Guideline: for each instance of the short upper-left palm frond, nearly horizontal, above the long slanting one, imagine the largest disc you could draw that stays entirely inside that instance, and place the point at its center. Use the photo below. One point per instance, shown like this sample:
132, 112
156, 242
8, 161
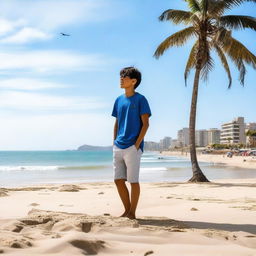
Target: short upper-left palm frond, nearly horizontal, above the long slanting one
177, 16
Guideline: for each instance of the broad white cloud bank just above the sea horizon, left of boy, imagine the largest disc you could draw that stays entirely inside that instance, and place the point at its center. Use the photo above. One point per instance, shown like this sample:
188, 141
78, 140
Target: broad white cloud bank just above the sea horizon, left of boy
54, 132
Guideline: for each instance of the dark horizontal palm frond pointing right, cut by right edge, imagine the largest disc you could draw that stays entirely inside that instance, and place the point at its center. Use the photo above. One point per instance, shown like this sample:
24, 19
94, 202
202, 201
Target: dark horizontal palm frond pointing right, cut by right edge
238, 22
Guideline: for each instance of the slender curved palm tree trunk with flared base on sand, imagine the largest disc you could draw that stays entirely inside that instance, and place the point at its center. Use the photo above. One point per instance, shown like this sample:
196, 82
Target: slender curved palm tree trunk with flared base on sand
198, 175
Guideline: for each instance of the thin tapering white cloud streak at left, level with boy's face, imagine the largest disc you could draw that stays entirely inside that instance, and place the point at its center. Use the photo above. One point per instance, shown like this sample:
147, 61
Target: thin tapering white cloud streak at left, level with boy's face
28, 84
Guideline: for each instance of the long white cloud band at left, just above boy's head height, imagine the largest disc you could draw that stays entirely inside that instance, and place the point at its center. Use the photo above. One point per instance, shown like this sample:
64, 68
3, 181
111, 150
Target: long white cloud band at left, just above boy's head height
48, 61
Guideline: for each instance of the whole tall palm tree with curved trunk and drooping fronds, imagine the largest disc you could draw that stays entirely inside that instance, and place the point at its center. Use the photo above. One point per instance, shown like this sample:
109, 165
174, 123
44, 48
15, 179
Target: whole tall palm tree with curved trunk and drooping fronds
213, 31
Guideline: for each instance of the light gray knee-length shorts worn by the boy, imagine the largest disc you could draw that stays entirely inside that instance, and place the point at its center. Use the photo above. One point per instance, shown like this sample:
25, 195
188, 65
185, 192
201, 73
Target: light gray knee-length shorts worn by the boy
126, 163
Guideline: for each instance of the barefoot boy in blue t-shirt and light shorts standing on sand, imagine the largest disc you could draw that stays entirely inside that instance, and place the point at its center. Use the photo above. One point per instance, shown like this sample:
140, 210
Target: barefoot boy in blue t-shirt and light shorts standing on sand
132, 113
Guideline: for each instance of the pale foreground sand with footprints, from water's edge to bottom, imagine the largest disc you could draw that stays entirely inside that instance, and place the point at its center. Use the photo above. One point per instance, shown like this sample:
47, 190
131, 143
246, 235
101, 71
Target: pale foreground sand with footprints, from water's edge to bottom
173, 218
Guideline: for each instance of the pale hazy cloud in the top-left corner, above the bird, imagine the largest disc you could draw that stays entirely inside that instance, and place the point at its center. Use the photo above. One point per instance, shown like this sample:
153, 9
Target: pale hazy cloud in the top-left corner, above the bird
51, 14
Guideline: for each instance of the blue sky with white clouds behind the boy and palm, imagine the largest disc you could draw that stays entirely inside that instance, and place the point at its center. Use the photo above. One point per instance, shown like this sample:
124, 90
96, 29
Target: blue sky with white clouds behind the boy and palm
57, 92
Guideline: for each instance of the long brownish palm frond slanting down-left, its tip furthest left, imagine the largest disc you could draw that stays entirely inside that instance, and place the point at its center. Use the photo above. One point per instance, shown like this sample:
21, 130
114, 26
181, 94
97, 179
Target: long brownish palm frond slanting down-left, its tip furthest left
177, 39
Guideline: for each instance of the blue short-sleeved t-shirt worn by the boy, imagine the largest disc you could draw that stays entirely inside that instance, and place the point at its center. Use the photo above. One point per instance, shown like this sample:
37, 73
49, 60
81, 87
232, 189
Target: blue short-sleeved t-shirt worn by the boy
128, 111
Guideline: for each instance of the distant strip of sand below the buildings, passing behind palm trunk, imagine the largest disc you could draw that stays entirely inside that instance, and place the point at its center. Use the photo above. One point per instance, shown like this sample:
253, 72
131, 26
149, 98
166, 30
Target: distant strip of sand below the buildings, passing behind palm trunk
247, 162
